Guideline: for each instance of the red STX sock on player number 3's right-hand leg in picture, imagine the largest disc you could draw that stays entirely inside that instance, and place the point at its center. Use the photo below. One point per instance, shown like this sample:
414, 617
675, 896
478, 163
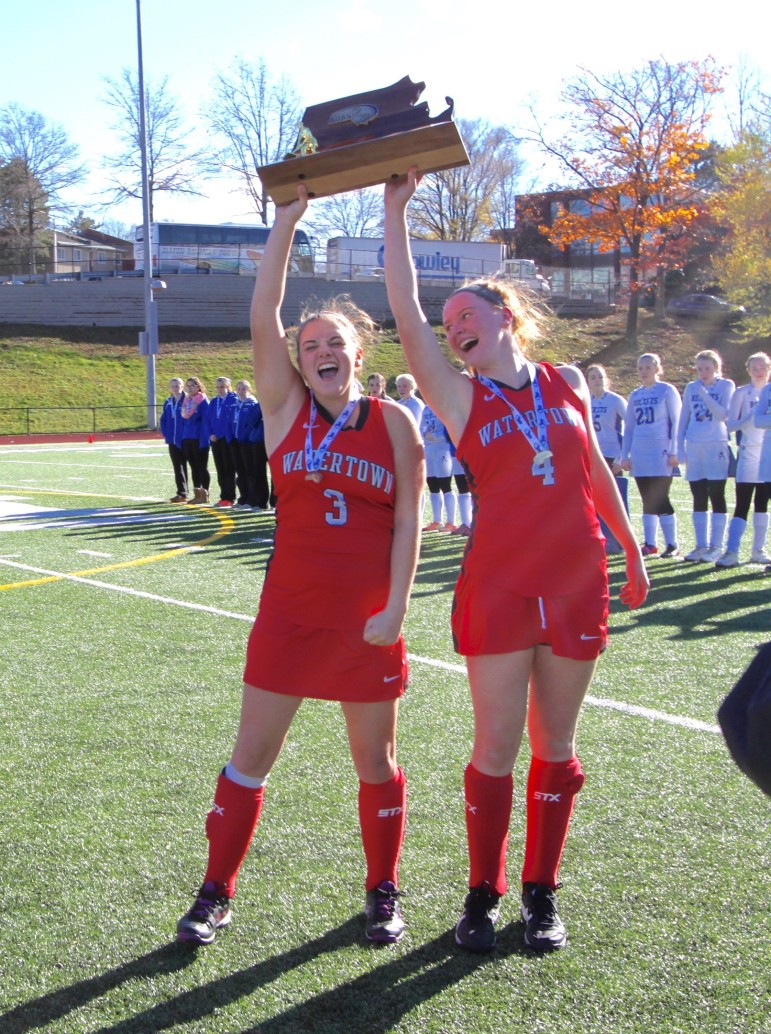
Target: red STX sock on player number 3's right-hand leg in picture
383, 812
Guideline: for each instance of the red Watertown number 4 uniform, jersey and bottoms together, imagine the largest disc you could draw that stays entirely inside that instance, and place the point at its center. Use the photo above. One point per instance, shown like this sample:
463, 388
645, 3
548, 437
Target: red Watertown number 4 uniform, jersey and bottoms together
536, 532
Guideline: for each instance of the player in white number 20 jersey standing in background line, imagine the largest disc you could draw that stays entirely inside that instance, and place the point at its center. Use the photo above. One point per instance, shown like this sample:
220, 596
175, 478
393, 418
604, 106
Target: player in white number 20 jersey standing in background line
650, 451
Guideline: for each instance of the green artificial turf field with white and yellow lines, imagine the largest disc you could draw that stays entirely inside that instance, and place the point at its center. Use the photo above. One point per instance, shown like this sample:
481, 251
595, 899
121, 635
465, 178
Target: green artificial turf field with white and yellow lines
125, 624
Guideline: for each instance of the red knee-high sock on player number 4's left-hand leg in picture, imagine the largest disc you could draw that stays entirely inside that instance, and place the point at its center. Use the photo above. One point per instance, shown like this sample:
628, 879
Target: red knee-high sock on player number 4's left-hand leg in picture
488, 814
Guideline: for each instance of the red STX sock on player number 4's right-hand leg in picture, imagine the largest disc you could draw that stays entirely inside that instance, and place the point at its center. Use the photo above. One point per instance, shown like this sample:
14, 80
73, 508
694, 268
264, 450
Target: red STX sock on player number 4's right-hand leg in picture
551, 793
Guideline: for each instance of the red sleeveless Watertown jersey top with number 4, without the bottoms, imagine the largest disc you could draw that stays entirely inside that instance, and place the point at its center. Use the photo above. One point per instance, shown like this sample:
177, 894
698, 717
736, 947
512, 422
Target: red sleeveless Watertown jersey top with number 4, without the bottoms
536, 530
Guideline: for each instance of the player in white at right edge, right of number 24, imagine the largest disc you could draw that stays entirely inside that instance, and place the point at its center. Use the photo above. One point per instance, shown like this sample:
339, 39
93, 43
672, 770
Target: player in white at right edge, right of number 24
749, 482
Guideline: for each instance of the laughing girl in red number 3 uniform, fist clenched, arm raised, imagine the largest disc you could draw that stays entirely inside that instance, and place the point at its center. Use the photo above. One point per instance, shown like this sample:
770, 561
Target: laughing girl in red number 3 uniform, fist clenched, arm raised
349, 474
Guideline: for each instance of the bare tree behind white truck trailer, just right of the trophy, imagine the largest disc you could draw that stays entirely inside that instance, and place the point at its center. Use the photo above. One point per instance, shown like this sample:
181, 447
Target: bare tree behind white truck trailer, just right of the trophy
468, 204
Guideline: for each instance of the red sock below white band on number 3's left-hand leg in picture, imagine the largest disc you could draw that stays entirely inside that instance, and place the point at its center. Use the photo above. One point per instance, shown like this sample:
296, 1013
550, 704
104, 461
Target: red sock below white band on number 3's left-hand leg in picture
230, 828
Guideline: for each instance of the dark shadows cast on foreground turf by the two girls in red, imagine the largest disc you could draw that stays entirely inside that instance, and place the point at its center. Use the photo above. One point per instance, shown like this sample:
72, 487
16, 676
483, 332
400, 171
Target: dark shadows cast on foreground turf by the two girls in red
378, 999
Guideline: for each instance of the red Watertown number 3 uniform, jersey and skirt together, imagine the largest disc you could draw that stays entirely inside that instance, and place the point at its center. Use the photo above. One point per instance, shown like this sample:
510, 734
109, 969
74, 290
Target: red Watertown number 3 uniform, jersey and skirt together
331, 568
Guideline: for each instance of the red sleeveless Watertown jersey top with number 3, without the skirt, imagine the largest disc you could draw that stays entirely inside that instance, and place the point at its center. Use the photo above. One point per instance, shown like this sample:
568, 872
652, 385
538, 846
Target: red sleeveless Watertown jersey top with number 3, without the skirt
331, 567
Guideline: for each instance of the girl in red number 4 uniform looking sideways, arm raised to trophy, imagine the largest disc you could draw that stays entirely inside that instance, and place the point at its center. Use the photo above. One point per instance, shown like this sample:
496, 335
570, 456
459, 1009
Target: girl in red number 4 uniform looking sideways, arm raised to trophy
532, 601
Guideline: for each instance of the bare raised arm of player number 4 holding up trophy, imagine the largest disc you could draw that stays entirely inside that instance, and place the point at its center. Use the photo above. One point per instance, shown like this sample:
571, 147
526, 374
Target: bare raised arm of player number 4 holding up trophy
447, 391
